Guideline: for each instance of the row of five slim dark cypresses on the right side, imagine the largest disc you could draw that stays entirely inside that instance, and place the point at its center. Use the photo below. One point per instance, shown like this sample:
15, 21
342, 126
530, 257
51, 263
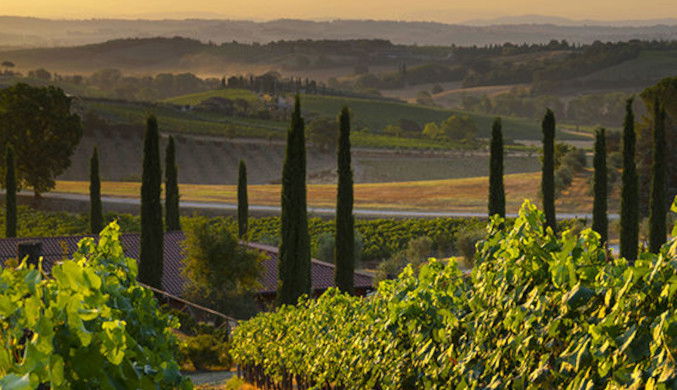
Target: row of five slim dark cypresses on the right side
629, 236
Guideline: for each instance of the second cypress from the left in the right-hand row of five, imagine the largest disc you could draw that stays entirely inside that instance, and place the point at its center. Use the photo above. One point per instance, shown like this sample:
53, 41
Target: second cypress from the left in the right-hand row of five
548, 176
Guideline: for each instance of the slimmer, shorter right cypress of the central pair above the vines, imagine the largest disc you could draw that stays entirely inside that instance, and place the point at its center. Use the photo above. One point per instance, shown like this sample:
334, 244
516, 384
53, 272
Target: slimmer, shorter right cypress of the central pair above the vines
345, 233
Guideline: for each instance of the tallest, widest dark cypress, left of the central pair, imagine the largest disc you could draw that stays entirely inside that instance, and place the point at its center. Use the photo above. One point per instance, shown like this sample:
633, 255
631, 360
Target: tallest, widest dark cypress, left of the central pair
294, 265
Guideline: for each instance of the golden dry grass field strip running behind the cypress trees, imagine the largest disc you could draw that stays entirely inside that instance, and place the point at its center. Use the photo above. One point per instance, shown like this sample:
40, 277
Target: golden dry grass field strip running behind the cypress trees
462, 195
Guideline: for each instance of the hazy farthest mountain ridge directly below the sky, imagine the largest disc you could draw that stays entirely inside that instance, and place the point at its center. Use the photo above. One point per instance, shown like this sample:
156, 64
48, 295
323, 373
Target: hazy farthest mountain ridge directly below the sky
35, 32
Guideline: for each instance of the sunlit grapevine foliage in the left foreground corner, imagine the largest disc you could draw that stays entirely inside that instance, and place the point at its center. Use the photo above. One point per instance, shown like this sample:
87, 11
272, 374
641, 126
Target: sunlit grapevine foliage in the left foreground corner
89, 325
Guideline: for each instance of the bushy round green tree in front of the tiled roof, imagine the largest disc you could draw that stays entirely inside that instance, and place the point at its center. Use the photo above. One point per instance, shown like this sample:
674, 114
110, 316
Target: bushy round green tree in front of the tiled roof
217, 267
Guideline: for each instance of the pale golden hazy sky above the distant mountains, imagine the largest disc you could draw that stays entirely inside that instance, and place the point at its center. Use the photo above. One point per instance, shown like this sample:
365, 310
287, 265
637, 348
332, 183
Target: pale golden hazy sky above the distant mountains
428, 10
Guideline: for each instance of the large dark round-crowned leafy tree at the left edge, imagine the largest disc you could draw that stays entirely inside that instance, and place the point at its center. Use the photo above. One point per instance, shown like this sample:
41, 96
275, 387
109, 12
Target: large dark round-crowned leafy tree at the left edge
38, 122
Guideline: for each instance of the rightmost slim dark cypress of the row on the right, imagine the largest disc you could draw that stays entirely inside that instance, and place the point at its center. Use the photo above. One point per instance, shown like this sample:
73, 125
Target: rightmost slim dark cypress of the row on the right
658, 202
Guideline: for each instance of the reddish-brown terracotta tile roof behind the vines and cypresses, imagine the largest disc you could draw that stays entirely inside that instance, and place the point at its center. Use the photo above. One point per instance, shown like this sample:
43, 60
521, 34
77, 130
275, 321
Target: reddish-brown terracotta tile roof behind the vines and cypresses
58, 248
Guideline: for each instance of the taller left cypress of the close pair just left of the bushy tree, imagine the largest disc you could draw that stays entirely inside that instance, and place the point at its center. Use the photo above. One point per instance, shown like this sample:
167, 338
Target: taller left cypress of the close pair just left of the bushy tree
150, 267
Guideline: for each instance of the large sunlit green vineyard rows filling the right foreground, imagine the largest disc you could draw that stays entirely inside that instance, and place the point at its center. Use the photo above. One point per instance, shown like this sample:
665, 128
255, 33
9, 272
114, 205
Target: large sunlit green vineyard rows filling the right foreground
537, 311
